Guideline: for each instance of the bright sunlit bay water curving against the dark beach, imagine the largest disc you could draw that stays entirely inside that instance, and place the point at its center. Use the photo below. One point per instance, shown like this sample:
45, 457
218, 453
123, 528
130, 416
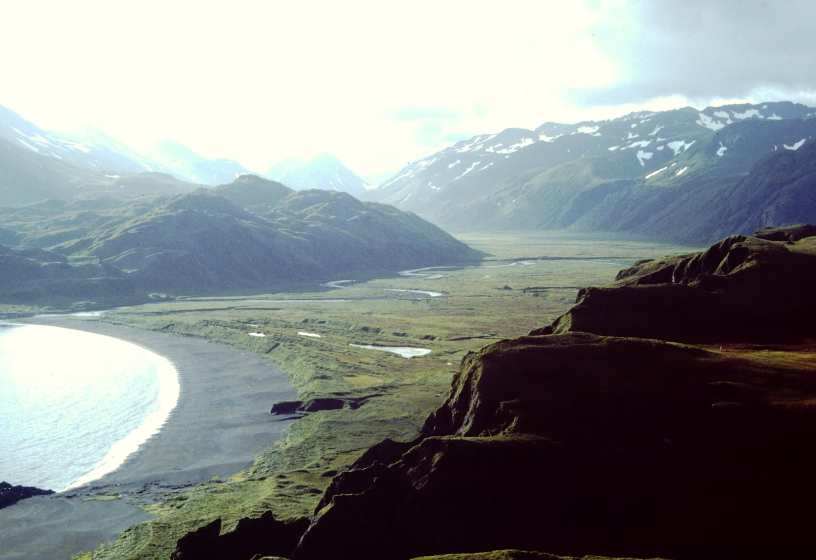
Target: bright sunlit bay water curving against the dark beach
74, 405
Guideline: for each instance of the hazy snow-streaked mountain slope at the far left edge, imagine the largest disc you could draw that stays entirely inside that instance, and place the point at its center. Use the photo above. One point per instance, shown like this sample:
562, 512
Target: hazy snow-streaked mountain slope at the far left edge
87, 152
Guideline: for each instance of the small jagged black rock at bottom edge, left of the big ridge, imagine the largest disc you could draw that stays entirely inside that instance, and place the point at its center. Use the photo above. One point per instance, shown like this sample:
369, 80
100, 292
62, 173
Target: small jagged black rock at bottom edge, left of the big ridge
263, 536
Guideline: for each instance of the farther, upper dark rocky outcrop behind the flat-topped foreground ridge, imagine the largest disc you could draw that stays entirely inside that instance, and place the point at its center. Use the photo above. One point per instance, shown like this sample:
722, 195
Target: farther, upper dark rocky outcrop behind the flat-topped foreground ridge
741, 289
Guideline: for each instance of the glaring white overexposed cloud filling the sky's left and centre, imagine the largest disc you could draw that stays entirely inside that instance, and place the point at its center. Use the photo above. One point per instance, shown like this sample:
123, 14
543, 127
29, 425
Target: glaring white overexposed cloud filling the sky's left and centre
259, 81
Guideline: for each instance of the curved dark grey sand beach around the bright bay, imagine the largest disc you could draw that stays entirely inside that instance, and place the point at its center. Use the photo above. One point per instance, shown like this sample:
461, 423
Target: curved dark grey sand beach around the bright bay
220, 423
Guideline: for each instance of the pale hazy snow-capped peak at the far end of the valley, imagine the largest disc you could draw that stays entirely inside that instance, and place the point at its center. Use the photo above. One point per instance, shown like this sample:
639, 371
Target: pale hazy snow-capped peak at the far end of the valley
322, 172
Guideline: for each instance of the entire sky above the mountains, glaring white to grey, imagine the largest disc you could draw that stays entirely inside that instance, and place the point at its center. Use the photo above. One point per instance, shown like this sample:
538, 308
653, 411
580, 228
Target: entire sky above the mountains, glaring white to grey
381, 84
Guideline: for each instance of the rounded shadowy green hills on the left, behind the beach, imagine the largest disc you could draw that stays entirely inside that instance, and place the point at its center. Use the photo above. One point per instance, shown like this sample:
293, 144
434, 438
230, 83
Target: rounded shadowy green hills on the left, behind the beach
104, 250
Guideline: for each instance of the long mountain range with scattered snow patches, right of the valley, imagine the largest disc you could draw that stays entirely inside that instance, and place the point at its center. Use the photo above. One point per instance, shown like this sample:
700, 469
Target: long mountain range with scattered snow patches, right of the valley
672, 175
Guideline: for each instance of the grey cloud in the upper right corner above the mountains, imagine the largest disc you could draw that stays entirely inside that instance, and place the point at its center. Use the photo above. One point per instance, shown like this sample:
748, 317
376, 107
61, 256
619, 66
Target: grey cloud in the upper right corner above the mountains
703, 50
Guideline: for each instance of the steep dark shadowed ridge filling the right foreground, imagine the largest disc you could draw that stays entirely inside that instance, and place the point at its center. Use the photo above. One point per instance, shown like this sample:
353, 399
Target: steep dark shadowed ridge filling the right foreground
579, 443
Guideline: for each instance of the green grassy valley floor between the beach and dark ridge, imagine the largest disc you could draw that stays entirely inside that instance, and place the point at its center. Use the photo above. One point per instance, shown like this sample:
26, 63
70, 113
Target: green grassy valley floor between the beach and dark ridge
501, 299
